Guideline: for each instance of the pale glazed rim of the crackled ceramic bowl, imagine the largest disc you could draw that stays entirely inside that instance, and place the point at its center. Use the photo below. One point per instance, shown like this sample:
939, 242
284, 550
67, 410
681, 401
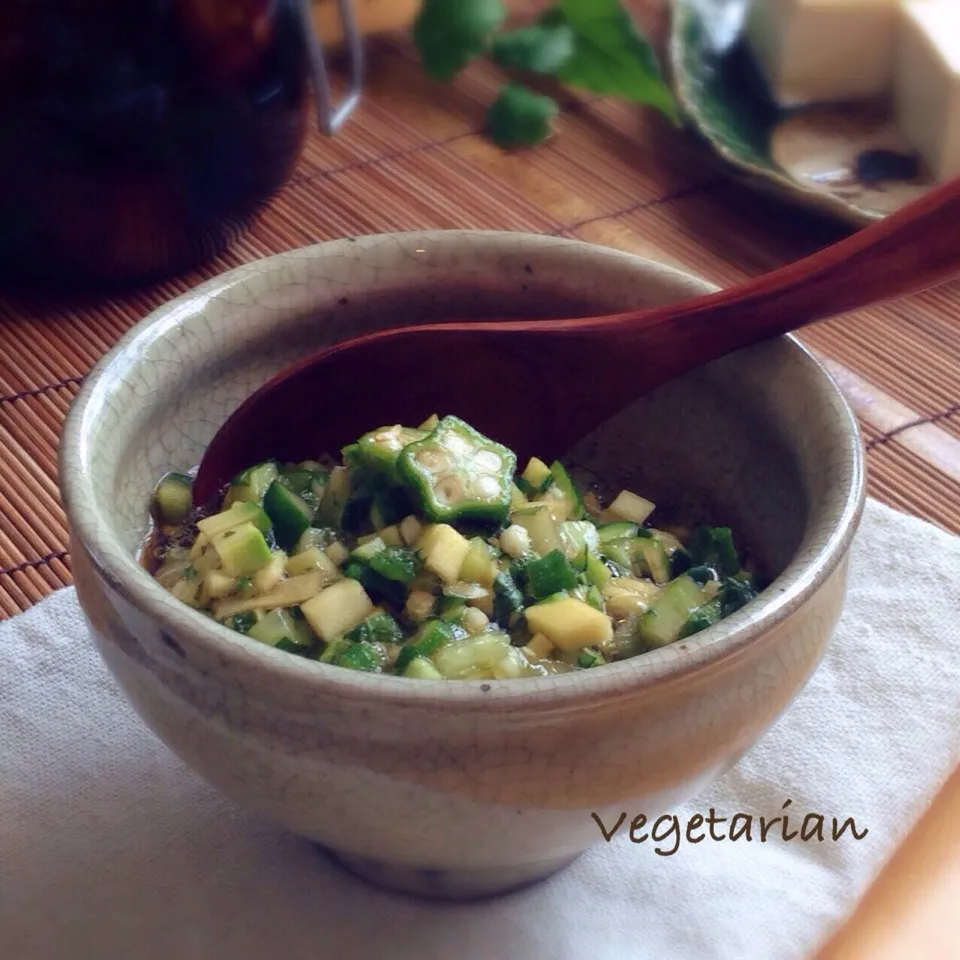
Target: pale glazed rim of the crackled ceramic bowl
798, 582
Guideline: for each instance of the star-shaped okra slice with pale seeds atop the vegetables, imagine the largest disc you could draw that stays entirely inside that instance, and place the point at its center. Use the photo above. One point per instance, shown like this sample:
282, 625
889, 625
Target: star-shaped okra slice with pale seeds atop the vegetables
456, 473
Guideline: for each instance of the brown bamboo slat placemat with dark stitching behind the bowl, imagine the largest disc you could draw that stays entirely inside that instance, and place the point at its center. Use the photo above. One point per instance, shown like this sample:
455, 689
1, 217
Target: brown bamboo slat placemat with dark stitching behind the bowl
413, 157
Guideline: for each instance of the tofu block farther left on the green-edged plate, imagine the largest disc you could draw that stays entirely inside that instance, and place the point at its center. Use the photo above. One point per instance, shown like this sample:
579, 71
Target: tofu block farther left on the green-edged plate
824, 51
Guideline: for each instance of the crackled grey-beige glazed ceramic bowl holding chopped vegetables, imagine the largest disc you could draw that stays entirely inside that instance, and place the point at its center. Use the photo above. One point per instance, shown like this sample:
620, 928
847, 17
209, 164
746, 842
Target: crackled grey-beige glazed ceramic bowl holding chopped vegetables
446, 788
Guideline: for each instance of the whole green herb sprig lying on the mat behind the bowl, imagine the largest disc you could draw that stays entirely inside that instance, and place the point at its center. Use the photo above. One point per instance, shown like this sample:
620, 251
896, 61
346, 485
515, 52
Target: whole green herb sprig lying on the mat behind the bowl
589, 45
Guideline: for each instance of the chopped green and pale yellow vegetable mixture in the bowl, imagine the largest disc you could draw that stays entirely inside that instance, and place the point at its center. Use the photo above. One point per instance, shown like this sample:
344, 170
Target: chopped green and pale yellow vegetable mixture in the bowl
424, 553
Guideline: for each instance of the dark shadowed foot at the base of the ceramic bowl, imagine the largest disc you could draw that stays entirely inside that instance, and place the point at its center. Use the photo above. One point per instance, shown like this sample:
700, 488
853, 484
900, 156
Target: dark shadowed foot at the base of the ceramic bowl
442, 884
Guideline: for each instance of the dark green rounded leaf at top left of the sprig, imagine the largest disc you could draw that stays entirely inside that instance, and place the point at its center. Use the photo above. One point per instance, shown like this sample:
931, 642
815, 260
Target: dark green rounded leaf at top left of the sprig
450, 33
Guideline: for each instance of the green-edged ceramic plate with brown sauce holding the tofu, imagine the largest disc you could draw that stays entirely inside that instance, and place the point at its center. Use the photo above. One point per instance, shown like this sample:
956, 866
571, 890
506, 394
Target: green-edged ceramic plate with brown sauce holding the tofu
847, 161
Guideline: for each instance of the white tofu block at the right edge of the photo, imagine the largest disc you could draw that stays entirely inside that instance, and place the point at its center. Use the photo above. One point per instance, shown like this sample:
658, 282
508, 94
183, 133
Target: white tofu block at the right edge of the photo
927, 83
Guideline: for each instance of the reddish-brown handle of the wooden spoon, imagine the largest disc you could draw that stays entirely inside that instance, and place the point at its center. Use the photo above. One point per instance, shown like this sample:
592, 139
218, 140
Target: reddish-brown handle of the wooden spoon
913, 249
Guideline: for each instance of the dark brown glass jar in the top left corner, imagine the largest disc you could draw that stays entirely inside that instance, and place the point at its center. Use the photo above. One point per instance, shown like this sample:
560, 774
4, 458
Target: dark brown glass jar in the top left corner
136, 136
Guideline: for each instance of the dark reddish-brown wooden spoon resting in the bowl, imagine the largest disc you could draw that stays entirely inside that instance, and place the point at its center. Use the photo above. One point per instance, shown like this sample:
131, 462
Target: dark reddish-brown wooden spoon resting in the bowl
540, 386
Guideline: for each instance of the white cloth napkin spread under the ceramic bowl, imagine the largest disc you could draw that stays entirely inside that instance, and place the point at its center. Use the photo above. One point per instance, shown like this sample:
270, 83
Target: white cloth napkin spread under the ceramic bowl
110, 849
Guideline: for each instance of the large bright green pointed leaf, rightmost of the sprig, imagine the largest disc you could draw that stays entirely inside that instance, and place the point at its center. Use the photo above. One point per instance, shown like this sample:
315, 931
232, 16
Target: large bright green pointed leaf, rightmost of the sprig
610, 56
